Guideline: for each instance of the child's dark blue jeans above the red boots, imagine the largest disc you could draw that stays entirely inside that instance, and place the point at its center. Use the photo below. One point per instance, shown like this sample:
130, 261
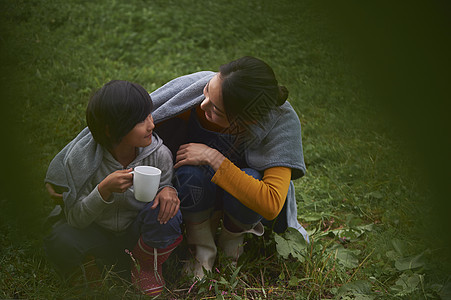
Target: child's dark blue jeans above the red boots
67, 246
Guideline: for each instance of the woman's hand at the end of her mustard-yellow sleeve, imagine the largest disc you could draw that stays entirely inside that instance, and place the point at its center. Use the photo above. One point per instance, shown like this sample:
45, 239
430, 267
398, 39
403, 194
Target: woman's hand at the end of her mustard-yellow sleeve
198, 154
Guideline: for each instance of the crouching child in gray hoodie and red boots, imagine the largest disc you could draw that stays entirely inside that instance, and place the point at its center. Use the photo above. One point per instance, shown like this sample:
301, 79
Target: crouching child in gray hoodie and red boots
102, 216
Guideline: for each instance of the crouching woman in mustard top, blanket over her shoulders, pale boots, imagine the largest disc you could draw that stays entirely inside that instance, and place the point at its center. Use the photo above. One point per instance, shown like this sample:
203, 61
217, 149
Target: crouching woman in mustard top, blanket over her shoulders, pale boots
237, 146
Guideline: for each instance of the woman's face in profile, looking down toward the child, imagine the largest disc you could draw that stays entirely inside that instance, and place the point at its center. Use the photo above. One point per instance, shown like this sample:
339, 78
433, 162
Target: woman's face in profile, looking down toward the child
213, 105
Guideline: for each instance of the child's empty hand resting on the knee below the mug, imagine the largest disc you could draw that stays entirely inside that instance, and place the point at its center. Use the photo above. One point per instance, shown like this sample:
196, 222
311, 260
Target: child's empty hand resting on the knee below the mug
169, 204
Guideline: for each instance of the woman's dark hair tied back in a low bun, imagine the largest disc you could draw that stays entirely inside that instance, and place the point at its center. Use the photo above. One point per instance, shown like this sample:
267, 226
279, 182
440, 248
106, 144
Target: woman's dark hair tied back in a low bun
250, 89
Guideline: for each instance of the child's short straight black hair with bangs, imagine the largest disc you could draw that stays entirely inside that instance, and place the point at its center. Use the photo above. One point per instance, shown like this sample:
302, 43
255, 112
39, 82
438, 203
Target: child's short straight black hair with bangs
115, 109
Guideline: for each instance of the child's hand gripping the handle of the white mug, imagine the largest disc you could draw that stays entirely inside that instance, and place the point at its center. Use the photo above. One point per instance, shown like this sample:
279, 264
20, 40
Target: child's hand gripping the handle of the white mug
116, 182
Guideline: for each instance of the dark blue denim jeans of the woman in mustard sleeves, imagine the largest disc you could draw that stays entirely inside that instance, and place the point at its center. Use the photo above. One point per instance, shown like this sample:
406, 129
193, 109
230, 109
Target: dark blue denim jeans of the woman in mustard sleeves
199, 197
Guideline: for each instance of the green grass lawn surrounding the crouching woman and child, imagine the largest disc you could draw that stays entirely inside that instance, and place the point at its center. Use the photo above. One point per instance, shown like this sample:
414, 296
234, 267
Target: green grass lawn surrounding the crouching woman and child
366, 199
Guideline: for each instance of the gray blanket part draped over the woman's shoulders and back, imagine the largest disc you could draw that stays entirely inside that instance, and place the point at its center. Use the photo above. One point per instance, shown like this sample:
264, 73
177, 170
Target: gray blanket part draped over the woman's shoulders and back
275, 141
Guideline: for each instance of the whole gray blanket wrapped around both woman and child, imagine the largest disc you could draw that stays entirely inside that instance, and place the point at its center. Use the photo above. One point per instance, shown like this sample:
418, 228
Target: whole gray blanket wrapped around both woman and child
275, 141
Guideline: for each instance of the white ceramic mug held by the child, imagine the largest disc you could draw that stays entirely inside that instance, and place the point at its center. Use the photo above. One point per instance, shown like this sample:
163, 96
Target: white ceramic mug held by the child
146, 180
